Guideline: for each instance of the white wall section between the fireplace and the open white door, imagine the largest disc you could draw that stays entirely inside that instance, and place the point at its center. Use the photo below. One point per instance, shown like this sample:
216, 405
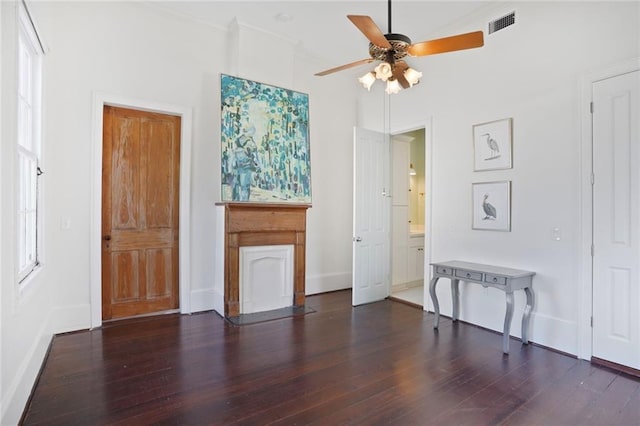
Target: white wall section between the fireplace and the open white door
329, 222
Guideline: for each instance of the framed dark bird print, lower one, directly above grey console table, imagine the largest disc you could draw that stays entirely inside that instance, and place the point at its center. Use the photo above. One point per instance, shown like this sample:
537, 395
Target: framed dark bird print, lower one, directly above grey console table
491, 206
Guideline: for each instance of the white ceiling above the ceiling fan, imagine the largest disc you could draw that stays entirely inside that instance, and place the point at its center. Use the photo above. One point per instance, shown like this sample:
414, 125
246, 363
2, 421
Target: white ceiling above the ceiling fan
321, 26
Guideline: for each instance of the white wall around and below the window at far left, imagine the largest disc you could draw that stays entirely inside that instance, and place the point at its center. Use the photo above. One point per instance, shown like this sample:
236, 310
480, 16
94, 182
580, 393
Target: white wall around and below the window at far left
27, 313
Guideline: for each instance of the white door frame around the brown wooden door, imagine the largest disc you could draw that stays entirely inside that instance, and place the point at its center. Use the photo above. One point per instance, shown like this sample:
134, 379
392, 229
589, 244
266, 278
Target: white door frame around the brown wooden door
95, 238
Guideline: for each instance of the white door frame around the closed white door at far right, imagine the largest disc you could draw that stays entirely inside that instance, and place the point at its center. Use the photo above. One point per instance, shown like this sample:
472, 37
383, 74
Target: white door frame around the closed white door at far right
585, 311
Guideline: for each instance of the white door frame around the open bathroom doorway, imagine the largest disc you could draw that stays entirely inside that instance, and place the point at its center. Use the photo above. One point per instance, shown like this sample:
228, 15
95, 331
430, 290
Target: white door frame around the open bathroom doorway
428, 150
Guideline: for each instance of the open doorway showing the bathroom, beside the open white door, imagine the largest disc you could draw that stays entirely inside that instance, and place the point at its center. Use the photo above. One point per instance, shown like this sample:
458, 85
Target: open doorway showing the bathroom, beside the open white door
408, 180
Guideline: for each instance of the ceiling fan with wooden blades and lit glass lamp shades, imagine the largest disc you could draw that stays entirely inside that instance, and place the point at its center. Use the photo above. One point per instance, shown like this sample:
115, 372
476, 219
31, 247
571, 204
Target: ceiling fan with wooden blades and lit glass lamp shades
391, 48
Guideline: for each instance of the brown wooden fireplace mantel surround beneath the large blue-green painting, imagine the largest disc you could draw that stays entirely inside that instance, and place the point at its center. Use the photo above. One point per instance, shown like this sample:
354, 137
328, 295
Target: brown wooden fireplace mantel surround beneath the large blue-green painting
261, 224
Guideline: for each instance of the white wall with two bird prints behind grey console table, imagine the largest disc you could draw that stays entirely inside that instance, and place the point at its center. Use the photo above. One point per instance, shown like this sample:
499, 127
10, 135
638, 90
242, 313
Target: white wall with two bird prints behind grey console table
532, 72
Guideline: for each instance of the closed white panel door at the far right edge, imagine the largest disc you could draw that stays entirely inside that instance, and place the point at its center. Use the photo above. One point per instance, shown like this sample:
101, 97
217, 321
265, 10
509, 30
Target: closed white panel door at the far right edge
616, 220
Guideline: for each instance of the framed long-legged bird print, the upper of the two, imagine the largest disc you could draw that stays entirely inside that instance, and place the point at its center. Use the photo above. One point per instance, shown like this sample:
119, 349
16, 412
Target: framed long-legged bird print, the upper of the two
492, 143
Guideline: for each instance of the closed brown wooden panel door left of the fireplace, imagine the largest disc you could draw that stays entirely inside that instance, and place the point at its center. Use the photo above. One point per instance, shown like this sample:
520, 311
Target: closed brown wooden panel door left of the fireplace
140, 203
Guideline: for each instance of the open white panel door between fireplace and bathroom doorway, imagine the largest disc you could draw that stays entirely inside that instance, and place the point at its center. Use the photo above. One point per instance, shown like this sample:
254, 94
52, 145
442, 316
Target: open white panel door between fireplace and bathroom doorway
371, 217
